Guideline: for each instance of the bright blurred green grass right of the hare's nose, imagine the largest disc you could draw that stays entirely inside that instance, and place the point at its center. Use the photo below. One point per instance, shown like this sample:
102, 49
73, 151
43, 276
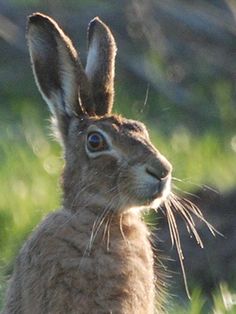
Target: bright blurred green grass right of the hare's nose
207, 159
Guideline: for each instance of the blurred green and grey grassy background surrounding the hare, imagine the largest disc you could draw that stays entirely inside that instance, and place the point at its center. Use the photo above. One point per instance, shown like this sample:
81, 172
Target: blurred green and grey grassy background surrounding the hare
176, 69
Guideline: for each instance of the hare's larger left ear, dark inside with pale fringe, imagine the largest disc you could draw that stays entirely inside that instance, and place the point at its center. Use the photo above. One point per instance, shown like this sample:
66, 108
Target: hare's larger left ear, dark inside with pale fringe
57, 70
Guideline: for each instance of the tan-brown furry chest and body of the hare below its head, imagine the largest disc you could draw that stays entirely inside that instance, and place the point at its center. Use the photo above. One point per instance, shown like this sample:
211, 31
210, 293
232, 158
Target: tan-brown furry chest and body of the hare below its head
119, 272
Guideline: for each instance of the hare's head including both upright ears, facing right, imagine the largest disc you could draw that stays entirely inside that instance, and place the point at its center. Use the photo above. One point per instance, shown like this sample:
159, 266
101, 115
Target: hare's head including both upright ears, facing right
109, 160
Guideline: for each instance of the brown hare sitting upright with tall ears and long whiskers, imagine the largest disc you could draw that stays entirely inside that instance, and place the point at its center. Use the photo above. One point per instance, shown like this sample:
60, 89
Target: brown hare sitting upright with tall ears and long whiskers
93, 255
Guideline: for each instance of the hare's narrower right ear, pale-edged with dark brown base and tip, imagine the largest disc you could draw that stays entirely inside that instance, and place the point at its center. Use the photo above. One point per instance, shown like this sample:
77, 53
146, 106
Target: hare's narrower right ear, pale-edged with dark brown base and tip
100, 68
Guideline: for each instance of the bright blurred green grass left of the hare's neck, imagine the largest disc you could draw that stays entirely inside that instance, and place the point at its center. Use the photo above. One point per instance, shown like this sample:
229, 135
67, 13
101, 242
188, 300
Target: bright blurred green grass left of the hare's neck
29, 169
